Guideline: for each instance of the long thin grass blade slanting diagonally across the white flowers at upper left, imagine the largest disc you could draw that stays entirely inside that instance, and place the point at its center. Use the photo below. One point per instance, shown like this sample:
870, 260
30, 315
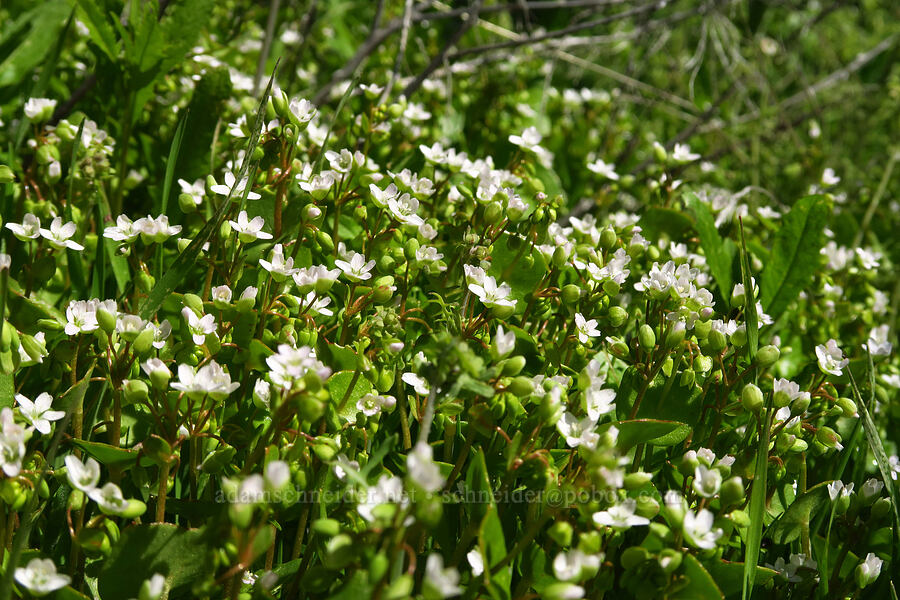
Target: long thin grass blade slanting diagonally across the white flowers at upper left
185, 261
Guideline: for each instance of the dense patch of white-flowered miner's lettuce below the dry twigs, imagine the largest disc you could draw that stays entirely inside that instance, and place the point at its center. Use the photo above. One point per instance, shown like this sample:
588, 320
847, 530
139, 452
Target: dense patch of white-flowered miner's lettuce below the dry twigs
258, 343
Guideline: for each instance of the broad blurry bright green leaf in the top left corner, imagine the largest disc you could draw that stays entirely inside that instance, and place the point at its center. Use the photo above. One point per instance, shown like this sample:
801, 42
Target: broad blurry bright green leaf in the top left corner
44, 24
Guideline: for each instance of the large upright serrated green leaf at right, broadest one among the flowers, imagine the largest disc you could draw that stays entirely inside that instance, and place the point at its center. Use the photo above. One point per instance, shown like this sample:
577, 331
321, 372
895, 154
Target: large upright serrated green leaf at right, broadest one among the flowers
795, 255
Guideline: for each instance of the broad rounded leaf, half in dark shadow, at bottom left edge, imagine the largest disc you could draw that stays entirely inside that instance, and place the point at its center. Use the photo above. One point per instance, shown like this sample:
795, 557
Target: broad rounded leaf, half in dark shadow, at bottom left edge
181, 555
